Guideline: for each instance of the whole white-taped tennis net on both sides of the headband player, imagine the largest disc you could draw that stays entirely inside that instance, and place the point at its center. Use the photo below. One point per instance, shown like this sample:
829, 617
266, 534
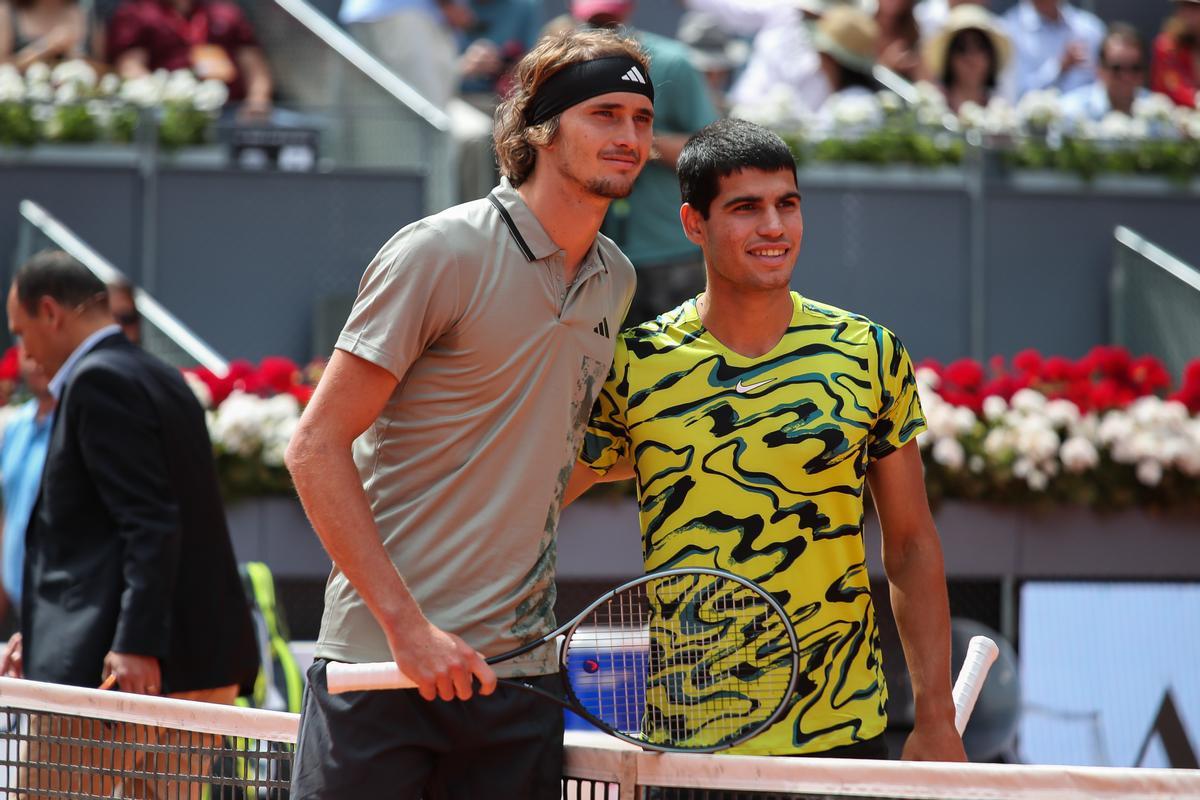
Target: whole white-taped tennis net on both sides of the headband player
64, 742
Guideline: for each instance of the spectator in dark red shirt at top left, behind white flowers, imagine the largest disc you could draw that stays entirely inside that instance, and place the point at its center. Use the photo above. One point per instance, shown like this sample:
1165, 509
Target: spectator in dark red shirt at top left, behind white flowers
211, 38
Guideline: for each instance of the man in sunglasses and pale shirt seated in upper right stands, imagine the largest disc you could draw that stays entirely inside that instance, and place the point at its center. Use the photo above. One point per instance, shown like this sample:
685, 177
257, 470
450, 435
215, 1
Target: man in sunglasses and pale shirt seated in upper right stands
1123, 76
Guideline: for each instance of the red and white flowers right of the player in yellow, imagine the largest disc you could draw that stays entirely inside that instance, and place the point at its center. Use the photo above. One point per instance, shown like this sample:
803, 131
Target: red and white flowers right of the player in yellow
1105, 431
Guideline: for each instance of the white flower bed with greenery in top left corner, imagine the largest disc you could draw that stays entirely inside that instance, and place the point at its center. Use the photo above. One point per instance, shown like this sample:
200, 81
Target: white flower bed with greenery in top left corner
74, 104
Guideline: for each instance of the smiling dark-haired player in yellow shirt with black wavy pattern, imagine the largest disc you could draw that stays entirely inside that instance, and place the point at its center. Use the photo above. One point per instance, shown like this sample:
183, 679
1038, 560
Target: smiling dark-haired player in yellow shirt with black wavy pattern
754, 418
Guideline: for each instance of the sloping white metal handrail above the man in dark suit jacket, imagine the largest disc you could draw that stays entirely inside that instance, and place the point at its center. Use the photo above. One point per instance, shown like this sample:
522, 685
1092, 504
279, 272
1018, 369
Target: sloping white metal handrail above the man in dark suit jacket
163, 333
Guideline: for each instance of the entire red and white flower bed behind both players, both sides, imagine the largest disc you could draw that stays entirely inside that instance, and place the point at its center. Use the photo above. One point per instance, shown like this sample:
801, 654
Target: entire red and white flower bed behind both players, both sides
1107, 431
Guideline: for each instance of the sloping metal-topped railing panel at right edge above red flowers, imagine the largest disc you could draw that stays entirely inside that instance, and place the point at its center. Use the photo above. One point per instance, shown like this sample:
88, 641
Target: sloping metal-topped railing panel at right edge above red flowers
1155, 302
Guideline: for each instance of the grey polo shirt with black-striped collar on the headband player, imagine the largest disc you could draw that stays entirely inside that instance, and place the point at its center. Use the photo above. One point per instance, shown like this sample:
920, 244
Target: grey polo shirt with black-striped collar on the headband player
499, 363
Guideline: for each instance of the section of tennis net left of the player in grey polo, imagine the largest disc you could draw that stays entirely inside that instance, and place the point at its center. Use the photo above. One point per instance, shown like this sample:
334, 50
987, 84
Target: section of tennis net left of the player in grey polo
64, 742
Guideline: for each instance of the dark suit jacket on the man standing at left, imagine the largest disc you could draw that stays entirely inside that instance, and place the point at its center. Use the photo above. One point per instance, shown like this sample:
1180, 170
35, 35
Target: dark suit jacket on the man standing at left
128, 549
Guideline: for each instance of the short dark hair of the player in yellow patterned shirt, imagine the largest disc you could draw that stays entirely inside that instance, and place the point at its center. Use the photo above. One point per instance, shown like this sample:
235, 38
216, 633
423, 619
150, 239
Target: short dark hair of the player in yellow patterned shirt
722, 149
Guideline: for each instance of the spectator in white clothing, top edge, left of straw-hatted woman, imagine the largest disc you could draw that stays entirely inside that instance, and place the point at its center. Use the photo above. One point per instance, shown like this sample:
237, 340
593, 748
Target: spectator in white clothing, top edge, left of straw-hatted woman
783, 65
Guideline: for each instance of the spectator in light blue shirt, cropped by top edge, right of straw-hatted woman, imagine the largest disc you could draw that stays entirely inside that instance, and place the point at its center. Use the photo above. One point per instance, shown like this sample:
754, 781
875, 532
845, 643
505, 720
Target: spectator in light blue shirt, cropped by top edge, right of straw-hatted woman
1055, 44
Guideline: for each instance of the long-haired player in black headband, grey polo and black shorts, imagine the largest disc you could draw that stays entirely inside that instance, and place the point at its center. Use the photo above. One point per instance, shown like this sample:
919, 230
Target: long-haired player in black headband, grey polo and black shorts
434, 458
